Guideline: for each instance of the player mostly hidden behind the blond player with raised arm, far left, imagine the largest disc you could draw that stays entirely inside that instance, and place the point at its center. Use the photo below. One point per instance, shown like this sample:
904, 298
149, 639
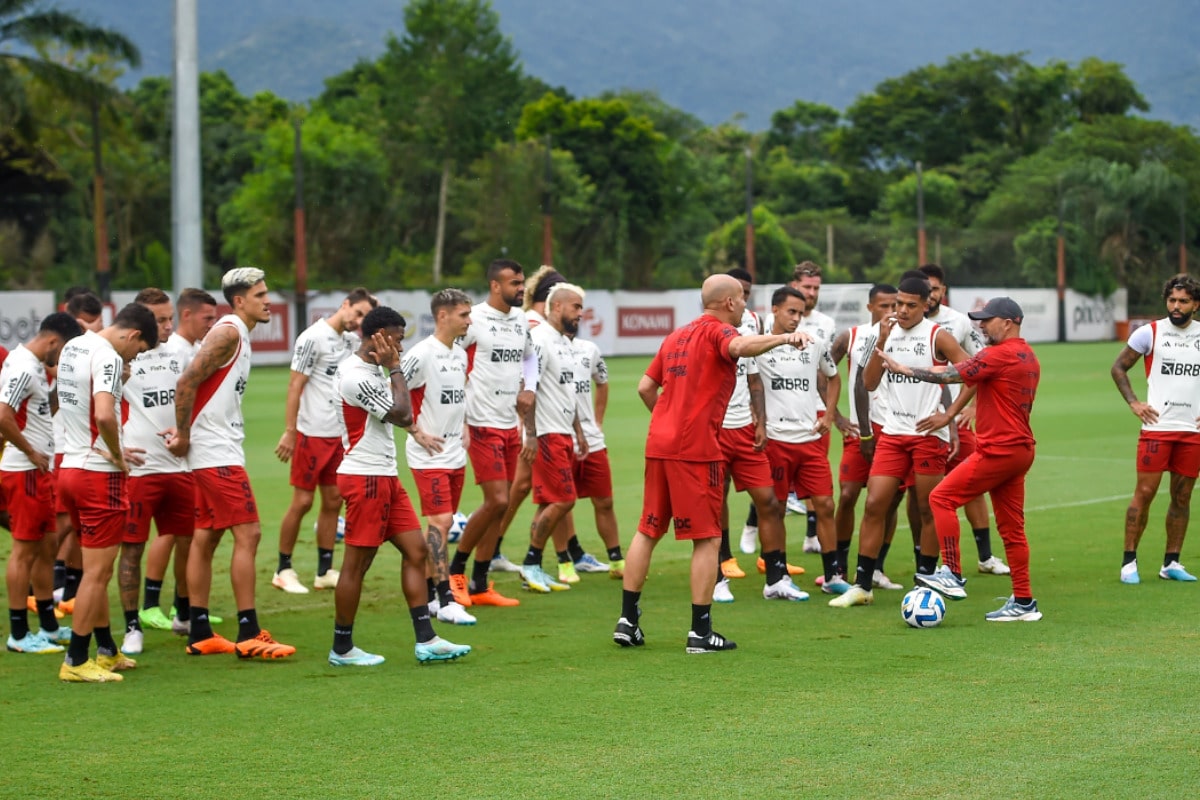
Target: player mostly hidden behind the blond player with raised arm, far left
197, 312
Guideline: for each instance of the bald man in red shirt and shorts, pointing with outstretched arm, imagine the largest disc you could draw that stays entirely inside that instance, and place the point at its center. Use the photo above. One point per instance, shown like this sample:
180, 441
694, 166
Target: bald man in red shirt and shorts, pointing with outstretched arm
687, 388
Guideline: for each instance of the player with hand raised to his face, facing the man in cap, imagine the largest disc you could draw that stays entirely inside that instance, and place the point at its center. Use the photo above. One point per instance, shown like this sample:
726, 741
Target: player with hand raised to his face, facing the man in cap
914, 438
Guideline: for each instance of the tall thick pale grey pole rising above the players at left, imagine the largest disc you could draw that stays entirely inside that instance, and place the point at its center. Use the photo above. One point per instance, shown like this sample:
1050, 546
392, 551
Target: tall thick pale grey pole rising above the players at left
188, 249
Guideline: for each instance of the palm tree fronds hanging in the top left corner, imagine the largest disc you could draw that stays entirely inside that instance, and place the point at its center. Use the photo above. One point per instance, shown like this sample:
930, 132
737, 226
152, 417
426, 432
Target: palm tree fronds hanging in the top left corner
27, 26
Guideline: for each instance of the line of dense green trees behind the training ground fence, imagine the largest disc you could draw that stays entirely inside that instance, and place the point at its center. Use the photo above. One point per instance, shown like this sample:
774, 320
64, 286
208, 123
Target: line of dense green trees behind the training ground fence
442, 154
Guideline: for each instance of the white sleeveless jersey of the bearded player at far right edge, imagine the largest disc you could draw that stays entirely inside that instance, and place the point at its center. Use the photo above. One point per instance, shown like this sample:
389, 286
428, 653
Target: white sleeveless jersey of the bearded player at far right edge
1173, 374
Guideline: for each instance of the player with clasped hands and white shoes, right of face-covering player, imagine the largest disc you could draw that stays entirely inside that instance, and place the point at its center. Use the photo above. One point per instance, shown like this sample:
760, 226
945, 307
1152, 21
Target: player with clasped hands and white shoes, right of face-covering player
436, 376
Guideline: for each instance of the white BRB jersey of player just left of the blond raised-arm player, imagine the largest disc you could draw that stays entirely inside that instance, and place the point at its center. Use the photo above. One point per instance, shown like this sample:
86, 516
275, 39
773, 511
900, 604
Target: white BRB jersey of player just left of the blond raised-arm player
148, 406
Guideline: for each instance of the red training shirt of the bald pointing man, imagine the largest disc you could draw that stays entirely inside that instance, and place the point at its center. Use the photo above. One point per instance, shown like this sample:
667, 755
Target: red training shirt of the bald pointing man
698, 374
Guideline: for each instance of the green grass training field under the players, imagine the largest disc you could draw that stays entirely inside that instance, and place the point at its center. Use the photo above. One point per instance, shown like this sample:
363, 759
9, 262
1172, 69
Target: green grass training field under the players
1096, 701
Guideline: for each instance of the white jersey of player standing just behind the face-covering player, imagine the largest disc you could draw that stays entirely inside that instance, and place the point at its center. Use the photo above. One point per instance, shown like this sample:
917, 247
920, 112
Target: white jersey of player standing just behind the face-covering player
317, 353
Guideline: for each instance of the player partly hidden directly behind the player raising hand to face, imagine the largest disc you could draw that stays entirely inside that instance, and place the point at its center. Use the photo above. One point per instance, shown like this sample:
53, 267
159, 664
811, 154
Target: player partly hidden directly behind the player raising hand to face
859, 446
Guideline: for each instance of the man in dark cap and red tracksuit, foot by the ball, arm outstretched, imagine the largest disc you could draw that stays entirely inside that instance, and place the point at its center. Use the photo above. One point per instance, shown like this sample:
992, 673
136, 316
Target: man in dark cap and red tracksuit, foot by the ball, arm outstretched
1006, 377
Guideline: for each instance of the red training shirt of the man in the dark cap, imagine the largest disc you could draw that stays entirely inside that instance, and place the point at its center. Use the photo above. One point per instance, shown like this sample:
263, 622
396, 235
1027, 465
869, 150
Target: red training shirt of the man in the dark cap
1006, 377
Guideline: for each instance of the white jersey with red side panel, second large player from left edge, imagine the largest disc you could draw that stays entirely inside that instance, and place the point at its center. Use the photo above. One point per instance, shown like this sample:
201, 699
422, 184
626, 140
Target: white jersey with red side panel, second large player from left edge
88, 366
